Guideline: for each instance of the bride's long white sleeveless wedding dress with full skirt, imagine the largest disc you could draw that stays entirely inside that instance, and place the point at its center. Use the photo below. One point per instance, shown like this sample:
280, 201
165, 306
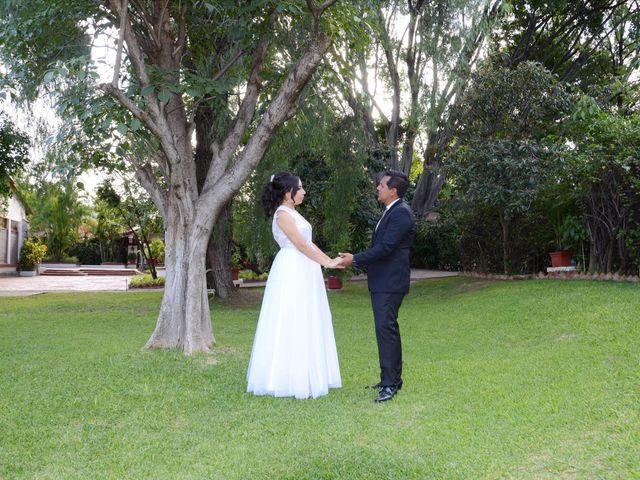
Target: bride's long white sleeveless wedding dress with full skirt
294, 350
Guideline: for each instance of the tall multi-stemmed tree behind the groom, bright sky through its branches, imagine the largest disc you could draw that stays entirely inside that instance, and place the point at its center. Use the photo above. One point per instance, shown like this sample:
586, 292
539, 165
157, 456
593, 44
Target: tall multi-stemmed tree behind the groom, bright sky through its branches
423, 52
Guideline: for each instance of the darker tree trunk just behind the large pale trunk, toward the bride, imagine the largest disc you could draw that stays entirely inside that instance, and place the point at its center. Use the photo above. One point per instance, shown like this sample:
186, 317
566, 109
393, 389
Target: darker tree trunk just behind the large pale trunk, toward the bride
219, 255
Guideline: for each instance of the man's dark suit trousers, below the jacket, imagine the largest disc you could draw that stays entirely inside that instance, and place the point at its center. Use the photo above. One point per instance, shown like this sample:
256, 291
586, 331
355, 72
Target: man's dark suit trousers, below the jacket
385, 313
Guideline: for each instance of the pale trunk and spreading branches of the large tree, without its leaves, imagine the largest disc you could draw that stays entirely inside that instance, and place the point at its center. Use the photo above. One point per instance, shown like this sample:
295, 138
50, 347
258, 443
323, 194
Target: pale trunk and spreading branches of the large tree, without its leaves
190, 202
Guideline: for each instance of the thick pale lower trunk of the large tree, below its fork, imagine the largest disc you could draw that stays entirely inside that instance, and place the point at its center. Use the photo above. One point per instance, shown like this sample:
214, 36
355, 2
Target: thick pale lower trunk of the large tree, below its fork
184, 320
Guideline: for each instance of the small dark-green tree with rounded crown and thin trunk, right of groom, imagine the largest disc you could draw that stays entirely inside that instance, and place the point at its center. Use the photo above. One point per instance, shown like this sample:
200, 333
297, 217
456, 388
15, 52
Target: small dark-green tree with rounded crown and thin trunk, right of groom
506, 148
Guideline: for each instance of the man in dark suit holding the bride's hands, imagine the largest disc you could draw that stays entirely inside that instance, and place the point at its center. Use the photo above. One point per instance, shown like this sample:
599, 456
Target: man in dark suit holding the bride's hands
388, 272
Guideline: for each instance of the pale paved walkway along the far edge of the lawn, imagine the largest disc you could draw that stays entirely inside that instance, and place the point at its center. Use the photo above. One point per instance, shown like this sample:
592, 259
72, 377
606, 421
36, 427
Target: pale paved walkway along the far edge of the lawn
16, 286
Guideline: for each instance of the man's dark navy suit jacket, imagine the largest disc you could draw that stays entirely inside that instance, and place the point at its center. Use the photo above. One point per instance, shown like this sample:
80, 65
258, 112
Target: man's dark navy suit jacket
387, 260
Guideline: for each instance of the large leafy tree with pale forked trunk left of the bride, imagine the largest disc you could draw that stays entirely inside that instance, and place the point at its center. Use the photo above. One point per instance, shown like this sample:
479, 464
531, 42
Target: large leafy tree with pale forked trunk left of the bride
168, 64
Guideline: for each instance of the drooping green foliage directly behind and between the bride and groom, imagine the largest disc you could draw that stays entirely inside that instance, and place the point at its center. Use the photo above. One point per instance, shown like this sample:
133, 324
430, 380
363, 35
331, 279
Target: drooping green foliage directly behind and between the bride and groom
340, 202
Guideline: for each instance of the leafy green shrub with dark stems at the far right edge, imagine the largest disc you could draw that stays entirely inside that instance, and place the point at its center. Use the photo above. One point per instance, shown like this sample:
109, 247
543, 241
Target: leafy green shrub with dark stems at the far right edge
604, 166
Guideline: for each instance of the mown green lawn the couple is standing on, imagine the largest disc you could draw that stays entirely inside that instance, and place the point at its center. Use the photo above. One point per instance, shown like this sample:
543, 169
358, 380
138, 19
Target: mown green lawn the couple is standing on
503, 380
